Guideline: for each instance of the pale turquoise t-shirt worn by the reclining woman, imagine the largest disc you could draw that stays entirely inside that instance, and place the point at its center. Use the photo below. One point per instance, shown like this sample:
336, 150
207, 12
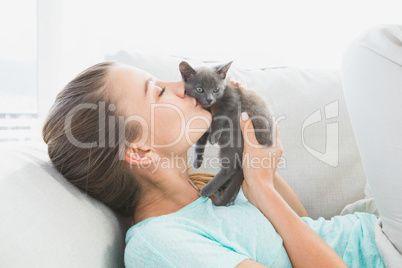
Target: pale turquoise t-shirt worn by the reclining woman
204, 235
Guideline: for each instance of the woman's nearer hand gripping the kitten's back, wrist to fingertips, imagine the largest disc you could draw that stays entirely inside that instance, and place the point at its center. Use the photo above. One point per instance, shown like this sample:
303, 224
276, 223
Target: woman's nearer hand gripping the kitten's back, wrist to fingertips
259, 162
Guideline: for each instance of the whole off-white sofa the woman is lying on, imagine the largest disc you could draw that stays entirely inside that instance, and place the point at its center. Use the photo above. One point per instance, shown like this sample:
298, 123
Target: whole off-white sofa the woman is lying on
46, 222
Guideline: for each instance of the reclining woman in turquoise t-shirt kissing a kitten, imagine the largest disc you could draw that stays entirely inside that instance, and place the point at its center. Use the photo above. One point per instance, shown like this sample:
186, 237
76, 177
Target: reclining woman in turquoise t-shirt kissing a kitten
121, 135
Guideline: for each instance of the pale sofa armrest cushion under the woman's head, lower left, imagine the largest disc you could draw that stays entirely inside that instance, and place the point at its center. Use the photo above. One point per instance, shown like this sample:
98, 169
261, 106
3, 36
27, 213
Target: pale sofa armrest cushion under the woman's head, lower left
47, 222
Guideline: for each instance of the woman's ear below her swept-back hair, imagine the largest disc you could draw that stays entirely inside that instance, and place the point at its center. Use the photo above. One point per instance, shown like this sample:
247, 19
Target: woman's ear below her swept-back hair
141, 156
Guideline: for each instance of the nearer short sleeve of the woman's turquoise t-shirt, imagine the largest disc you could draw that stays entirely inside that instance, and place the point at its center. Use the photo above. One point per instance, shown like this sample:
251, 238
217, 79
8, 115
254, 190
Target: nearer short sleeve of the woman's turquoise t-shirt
178, 248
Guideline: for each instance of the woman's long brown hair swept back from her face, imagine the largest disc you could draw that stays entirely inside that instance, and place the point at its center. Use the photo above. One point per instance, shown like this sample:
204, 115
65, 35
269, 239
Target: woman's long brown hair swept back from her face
96, 170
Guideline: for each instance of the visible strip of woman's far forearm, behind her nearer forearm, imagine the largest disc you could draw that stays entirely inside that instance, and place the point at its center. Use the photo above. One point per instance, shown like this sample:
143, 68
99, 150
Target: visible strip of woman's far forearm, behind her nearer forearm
289, 195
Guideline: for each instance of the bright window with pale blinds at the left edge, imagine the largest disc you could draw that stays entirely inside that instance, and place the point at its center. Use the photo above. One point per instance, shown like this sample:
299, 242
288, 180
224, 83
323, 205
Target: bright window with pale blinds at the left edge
18, 69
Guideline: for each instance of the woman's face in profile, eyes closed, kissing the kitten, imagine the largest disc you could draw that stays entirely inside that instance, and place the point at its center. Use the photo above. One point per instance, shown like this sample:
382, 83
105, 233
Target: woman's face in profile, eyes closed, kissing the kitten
170, 120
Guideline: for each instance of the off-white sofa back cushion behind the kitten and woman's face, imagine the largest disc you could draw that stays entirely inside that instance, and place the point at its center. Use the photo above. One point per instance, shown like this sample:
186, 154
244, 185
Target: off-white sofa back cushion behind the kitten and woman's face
321, 161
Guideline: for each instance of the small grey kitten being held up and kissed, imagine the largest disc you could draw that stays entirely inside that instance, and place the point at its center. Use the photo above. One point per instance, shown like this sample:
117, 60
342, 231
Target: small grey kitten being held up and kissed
208, 86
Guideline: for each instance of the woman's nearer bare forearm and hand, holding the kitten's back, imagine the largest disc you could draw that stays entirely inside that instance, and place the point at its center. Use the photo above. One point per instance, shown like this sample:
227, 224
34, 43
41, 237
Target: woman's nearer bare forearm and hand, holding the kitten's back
304, 247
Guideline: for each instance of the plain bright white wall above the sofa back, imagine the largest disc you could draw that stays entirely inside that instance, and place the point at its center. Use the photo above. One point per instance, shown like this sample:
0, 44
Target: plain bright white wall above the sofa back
309, 33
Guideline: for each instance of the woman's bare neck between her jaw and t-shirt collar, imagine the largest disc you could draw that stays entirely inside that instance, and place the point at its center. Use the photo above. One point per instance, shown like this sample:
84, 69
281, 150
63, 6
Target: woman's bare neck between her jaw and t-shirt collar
167, 191
